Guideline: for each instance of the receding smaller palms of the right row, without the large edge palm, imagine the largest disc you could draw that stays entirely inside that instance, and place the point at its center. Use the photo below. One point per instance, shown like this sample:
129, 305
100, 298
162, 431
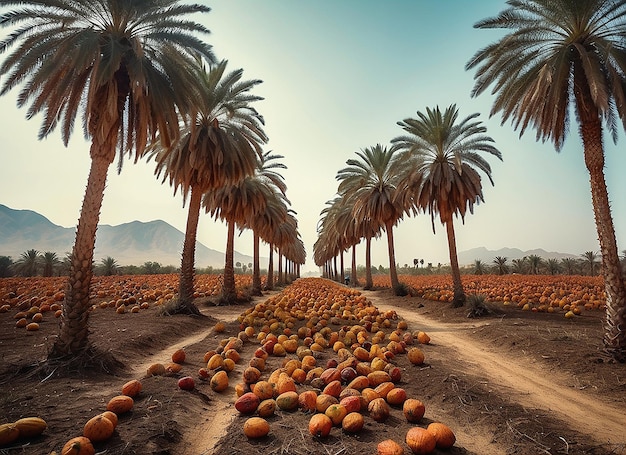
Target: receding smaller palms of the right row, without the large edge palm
432, 168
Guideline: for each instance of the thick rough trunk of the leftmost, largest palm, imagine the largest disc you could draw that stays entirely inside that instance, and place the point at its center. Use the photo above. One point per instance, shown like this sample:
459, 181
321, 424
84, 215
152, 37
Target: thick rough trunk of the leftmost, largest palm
73, 331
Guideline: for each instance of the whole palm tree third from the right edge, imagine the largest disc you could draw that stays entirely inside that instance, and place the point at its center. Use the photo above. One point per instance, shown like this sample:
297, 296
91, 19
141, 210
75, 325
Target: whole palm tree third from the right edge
371, 180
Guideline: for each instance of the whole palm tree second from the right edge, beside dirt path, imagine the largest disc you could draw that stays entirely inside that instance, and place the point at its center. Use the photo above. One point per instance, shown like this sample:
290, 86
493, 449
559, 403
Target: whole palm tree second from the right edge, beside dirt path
444, 176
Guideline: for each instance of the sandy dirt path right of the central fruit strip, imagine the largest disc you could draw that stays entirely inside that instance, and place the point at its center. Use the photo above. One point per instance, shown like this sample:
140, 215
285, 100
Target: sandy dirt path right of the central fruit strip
527, 384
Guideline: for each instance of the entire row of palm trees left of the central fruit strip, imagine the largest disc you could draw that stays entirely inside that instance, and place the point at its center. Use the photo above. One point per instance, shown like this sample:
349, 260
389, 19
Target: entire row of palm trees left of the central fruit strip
146, 83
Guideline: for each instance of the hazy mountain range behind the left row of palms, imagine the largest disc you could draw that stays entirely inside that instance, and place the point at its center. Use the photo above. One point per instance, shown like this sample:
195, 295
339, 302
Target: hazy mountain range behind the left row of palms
130, 243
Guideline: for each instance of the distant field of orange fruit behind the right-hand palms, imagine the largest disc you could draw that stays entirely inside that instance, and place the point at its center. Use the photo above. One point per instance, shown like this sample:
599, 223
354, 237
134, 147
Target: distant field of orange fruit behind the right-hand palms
530, 292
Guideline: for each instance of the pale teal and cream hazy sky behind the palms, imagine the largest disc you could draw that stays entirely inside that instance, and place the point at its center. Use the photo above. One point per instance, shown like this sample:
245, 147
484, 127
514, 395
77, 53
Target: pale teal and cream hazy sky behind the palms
337, 76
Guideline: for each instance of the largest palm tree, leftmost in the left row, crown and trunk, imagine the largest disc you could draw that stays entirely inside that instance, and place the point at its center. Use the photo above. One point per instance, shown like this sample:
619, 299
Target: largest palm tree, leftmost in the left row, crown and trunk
126, 65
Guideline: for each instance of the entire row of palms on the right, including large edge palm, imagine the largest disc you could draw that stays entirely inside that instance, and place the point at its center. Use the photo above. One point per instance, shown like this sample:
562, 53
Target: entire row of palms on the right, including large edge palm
556, 58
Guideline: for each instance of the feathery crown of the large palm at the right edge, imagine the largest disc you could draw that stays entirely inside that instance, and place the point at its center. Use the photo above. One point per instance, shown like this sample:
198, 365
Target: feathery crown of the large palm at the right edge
533, 66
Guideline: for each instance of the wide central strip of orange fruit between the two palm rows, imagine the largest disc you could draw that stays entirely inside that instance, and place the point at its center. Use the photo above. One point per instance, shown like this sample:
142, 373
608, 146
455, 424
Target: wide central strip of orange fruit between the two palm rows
339, 369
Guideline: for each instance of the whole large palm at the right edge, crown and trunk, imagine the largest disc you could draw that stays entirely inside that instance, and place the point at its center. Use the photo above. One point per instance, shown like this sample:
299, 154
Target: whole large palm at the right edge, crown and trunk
557, 54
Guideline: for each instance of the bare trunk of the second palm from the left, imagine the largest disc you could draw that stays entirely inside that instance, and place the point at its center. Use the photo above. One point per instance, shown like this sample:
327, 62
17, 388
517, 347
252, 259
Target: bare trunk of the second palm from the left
187, 272
